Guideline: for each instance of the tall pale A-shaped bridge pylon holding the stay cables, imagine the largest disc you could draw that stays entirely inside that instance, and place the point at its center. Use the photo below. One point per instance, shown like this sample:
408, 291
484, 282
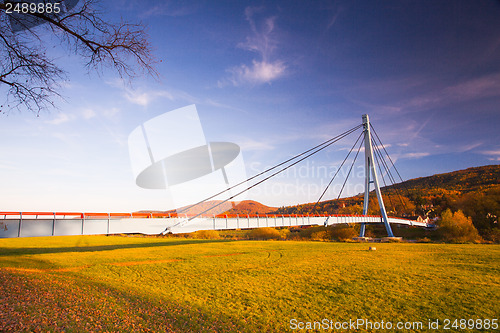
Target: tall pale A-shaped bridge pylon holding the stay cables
371, 177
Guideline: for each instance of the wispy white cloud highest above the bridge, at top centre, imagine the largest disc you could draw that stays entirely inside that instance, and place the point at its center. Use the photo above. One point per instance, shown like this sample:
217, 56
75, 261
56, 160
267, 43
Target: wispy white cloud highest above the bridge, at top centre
263, 42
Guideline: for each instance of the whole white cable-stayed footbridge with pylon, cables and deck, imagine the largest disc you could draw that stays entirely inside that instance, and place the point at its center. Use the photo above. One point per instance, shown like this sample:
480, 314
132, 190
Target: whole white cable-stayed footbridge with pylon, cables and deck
33, 224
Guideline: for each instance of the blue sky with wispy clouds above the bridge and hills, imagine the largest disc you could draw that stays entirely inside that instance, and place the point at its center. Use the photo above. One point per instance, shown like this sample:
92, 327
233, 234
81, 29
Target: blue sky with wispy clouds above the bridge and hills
276, 78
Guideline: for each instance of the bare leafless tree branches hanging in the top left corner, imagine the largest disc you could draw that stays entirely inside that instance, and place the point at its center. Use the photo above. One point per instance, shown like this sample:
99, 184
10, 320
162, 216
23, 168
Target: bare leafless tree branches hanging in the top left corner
32, 79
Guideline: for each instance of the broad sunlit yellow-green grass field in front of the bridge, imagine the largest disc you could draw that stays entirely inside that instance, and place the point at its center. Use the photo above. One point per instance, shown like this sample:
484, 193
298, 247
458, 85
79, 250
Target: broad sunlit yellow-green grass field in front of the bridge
98, 283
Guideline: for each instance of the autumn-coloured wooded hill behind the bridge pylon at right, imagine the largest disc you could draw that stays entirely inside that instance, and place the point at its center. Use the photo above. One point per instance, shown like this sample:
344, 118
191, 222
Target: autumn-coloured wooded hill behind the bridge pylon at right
475, 191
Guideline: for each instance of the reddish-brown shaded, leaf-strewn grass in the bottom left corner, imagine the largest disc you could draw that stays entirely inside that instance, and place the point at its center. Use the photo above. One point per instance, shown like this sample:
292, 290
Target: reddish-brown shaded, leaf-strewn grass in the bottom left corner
78, 305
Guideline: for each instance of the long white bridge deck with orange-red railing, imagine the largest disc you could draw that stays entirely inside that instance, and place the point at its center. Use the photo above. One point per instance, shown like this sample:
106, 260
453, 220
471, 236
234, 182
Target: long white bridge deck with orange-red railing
35, 224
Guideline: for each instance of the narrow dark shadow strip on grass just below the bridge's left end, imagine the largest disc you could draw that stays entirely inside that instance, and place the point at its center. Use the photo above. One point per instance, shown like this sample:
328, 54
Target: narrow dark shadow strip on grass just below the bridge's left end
46, 250
